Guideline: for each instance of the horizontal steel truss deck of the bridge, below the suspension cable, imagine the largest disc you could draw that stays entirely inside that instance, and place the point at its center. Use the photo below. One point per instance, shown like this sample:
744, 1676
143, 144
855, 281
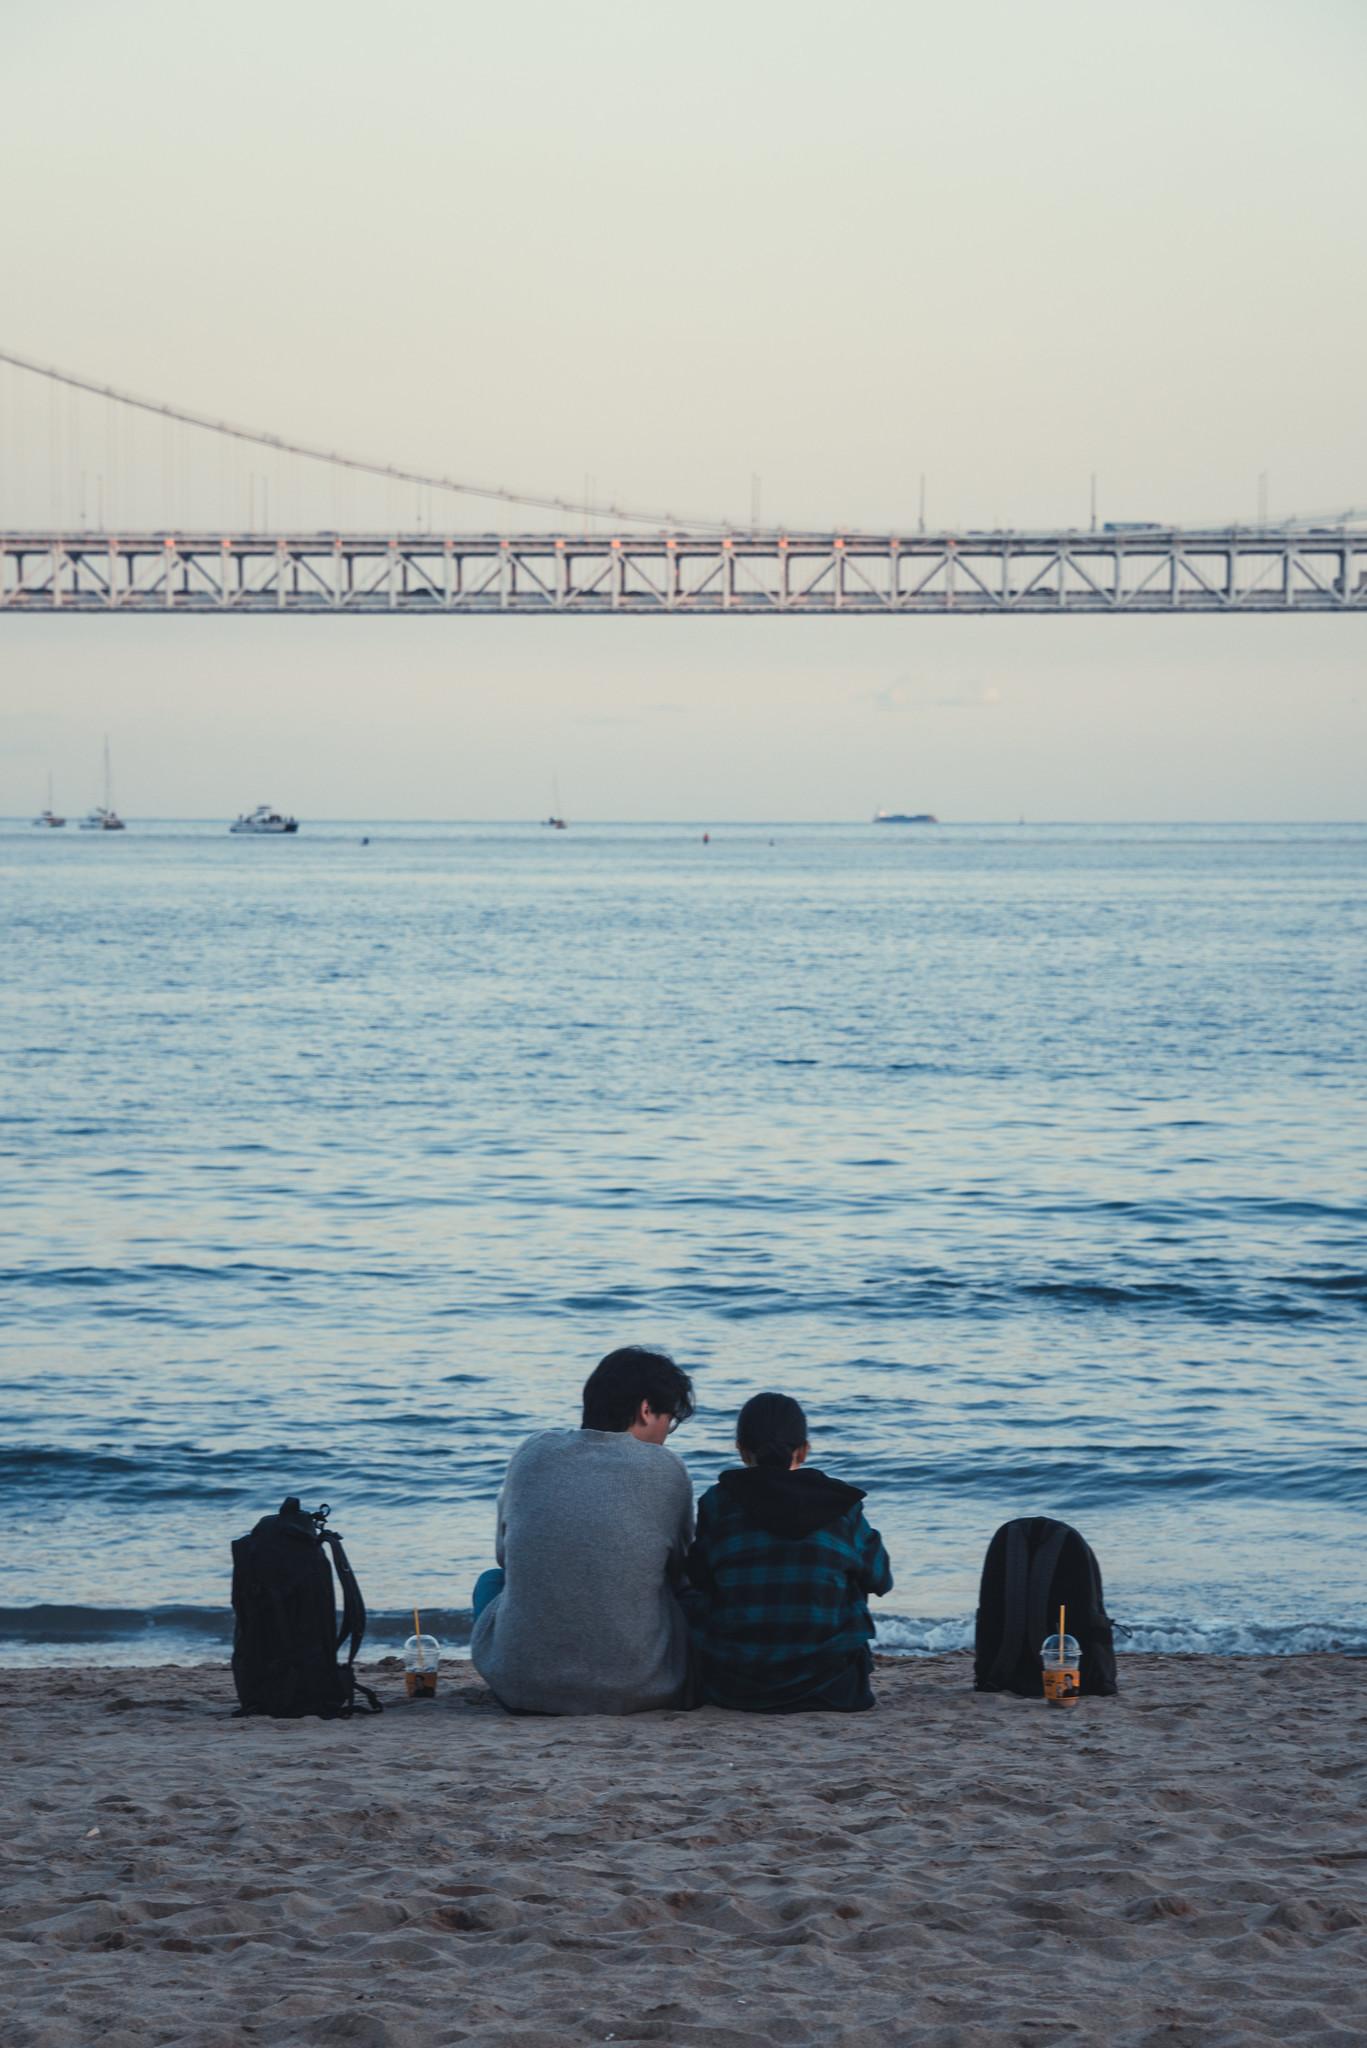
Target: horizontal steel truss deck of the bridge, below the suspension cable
763, 577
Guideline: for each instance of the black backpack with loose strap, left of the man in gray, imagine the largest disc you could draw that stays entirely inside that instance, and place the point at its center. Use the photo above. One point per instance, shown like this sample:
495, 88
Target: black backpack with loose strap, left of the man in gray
286, 1629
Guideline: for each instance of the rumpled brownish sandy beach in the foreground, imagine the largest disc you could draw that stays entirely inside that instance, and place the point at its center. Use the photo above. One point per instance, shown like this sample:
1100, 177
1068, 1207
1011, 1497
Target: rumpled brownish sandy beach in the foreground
1182, 1865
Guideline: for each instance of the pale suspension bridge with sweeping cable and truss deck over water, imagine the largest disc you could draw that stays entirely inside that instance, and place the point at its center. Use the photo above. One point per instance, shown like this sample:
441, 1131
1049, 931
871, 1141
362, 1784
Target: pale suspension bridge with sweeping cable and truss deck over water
591, 560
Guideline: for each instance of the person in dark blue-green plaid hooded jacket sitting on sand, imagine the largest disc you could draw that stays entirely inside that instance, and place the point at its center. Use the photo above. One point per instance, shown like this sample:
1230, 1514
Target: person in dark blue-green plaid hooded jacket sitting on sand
782, 1572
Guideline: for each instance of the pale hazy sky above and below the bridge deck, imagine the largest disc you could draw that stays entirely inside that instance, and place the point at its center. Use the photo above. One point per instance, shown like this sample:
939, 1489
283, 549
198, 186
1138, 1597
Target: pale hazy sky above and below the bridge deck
671, 251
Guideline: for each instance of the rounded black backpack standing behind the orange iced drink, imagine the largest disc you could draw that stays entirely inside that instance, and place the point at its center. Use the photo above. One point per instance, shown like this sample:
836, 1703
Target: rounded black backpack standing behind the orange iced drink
1034, 1568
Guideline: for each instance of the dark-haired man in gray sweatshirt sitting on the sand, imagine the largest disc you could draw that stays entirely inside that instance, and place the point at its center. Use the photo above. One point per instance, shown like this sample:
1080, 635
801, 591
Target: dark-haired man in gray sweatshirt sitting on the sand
593, 1531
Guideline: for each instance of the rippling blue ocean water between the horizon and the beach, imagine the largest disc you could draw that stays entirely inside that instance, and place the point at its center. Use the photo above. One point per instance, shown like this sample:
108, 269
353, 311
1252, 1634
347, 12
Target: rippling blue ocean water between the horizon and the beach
1028, 1158
